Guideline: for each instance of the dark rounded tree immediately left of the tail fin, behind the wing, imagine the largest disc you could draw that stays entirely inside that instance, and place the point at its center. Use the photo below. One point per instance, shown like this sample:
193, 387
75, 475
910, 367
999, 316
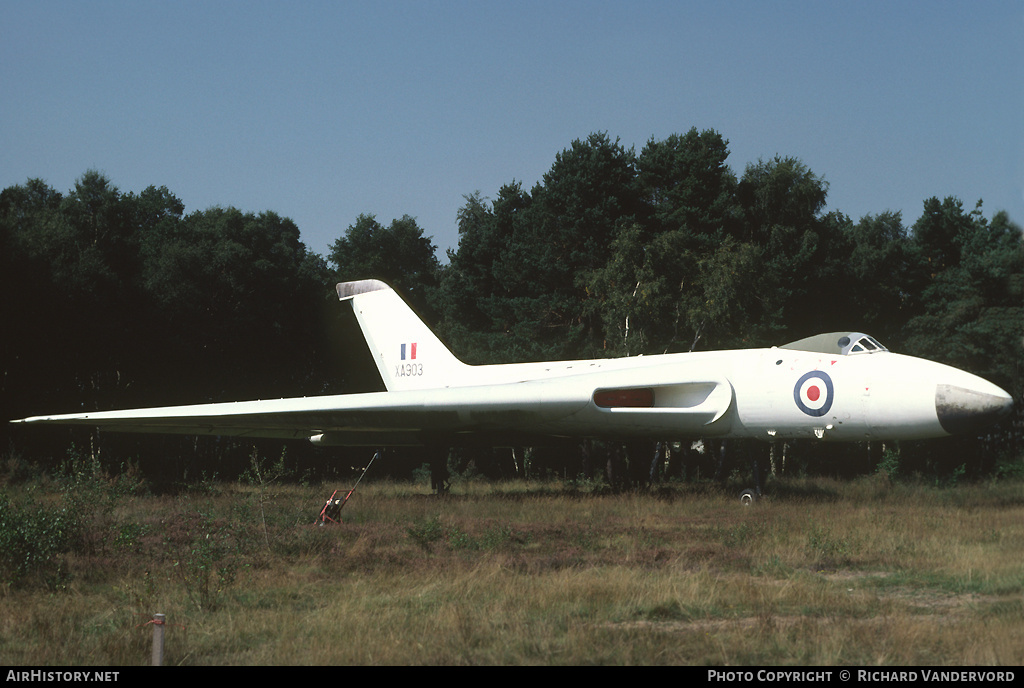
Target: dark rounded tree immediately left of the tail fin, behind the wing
238, 298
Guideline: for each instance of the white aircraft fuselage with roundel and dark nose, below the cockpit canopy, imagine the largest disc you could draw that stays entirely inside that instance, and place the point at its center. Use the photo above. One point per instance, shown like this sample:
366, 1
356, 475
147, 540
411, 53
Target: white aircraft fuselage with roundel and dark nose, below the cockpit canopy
756, 394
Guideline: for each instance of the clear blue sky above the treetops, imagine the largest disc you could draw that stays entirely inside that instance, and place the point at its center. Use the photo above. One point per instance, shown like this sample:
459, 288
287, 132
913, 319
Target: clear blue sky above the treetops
323, 111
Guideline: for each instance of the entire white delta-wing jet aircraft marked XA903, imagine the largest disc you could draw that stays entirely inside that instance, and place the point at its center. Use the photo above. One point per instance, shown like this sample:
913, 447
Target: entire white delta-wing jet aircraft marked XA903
840, 386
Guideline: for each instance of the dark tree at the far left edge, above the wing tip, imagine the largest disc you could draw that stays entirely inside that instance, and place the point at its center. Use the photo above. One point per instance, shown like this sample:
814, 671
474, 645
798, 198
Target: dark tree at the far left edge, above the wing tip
75, 260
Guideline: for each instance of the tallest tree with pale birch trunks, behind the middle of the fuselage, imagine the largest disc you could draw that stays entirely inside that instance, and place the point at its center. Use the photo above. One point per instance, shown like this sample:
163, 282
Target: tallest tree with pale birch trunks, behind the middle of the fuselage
666, 283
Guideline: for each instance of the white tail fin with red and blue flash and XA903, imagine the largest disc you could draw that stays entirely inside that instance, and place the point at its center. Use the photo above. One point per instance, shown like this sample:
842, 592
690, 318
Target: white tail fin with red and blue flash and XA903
409, 356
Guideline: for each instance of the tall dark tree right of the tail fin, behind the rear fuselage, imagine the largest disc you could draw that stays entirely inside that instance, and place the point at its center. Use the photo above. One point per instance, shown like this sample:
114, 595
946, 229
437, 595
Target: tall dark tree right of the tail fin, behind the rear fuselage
529, 256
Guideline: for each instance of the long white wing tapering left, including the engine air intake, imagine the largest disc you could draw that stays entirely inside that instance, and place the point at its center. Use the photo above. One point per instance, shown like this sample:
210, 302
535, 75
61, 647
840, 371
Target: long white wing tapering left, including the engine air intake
499, 415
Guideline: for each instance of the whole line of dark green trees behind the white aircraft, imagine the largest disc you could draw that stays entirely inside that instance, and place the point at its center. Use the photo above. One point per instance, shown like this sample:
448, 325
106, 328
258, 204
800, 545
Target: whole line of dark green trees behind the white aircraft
119, 299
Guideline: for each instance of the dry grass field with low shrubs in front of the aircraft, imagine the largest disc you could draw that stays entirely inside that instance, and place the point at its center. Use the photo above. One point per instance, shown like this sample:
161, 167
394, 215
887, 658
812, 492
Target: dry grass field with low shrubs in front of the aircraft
822, 573
